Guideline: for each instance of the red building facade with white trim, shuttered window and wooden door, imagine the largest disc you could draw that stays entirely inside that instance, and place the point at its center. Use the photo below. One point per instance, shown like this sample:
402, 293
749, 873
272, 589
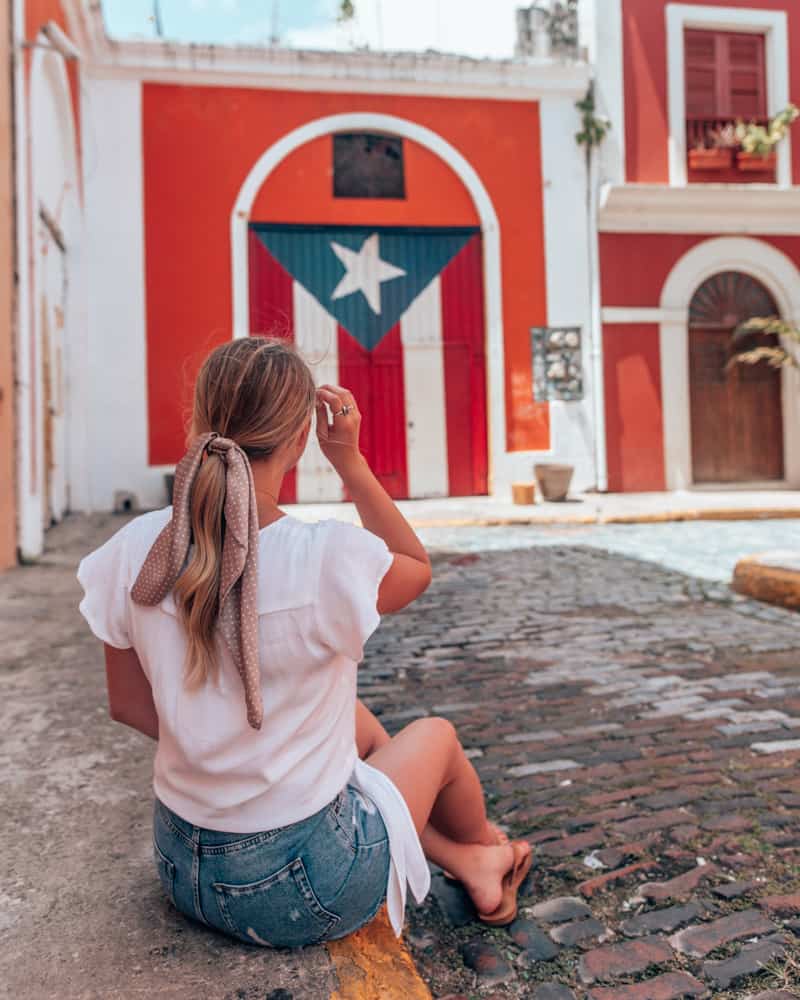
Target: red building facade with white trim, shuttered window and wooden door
688, 250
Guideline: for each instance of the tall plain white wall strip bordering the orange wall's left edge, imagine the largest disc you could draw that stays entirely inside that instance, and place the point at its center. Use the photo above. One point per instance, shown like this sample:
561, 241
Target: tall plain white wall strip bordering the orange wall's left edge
116, 397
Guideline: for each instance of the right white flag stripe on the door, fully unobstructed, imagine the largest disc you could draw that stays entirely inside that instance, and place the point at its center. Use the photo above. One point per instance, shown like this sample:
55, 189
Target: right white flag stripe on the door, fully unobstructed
423, 378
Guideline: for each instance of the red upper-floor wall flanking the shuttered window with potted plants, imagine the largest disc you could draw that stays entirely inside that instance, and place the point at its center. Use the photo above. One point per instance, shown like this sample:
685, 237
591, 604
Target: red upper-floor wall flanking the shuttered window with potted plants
645, 74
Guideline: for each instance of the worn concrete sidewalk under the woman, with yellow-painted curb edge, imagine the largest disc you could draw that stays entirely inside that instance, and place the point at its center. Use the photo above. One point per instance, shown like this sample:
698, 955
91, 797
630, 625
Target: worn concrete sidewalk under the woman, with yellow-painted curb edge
82, 915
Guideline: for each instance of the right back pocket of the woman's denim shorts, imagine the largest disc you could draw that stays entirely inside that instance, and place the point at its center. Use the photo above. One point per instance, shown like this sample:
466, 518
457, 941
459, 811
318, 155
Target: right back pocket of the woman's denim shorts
281, 911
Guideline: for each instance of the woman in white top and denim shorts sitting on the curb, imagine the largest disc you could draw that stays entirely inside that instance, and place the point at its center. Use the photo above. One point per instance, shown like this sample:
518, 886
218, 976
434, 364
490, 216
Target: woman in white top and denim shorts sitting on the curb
284, 814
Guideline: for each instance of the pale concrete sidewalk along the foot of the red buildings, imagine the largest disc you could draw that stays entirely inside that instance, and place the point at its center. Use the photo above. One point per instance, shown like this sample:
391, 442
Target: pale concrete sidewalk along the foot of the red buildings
582, 508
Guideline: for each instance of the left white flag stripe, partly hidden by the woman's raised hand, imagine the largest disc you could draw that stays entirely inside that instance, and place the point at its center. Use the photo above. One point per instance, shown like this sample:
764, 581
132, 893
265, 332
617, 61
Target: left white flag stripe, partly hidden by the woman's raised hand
316, 336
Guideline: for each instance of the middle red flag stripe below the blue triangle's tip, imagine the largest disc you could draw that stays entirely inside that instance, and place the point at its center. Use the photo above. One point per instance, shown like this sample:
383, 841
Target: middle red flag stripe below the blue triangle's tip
376, 380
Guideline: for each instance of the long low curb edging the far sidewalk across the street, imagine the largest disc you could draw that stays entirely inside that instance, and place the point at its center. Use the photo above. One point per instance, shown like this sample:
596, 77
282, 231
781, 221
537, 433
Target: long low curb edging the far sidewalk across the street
712, 514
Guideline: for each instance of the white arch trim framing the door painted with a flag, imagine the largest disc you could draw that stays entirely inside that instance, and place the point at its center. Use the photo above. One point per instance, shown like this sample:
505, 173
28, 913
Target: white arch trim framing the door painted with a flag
490, 228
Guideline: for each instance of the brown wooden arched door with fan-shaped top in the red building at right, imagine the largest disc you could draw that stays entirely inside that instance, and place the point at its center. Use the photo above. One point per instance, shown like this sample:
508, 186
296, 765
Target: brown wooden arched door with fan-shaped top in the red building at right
736, 413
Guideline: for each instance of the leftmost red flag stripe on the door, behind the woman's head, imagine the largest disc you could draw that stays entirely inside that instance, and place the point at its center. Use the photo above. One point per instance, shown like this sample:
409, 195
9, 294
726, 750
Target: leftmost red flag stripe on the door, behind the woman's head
271, 313
